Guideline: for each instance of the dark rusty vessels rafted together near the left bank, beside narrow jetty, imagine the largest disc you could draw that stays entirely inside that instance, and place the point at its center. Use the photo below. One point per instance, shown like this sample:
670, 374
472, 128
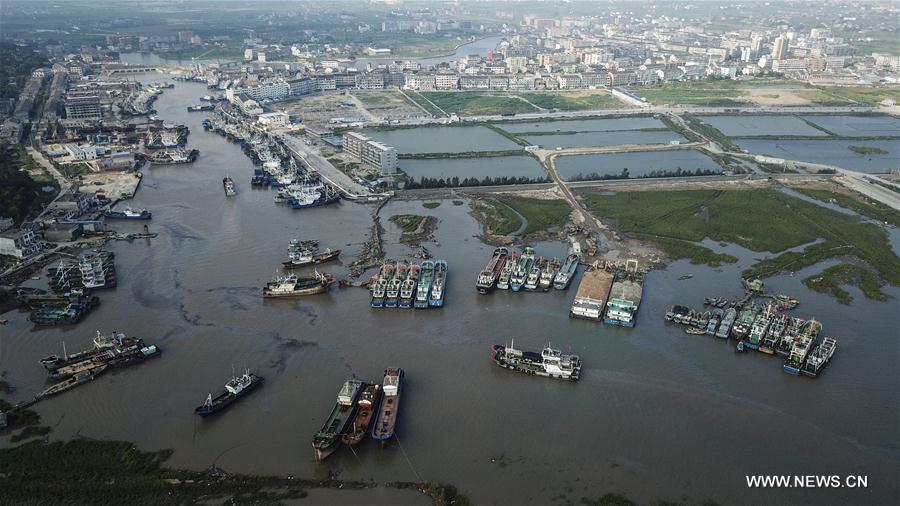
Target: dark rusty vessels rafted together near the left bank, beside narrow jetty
108, 352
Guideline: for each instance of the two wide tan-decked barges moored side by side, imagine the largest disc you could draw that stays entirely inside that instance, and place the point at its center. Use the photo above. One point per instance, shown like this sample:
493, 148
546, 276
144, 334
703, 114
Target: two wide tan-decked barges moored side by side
609, 294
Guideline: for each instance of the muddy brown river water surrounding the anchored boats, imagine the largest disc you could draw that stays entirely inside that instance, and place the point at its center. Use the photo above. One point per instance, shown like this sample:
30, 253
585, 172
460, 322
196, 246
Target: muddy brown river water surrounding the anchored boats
657, 414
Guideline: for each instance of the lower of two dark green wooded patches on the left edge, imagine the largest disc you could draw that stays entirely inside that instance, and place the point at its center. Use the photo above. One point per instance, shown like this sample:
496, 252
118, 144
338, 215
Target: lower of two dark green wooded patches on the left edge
21, 197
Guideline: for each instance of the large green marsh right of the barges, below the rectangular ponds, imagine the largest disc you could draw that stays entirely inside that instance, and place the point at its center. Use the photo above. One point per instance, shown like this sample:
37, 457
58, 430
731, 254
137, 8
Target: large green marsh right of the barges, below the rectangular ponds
760, 220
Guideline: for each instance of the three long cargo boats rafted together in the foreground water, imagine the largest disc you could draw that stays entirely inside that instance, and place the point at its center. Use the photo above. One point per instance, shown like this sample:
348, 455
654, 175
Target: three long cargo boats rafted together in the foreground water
362, 408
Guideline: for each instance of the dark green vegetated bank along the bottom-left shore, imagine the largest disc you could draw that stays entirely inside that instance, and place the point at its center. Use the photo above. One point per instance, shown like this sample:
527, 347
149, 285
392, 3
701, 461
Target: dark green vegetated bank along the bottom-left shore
115, 472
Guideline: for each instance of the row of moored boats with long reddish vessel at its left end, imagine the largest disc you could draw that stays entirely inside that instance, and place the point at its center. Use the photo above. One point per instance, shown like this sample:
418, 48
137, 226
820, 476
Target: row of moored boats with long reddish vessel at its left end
514, 271
